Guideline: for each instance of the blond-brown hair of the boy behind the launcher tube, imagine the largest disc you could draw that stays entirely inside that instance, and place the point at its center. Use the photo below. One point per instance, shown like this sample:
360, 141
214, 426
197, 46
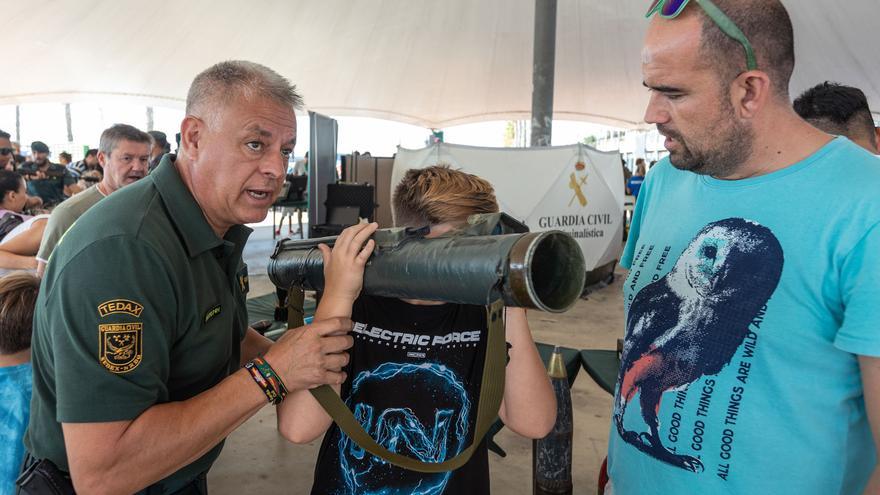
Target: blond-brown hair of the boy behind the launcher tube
439, 194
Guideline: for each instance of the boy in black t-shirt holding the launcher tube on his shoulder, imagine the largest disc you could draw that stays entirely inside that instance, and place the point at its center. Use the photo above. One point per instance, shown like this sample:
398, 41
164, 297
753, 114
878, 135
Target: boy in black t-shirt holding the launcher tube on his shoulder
413, 376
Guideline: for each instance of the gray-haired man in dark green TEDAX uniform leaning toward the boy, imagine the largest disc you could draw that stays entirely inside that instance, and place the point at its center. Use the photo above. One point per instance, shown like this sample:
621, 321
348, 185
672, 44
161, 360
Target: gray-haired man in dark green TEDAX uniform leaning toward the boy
141, 326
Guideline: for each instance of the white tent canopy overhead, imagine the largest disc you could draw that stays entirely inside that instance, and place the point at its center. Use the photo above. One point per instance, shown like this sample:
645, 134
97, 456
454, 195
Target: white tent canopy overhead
430, 63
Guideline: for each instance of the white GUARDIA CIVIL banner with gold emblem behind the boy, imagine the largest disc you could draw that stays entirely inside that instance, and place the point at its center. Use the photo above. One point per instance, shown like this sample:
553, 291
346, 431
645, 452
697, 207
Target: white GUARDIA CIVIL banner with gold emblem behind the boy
575, 189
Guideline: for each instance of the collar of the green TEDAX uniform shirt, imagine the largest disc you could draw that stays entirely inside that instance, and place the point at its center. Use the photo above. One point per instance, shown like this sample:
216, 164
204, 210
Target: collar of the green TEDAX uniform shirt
187, 215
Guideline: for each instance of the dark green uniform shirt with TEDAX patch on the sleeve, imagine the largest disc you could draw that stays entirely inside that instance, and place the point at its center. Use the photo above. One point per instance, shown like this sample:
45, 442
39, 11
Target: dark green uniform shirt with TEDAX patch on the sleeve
141, 304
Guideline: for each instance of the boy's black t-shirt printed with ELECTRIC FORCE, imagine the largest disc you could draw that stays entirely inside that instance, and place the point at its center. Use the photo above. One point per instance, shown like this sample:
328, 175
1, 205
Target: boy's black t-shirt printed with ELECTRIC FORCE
414, 384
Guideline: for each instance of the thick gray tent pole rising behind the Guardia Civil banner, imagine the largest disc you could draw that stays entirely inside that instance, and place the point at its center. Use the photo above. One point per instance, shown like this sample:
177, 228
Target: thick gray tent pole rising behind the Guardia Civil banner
543, 68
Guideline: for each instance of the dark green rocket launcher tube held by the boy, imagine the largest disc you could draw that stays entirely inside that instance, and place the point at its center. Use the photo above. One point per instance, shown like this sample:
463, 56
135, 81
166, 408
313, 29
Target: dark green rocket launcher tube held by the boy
540, 270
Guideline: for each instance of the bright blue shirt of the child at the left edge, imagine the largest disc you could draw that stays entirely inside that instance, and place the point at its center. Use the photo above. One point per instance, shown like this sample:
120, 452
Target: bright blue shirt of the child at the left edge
16, 383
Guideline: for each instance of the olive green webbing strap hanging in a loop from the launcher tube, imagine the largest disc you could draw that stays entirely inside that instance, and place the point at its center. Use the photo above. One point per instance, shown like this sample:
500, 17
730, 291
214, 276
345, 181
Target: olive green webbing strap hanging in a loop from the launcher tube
491, 393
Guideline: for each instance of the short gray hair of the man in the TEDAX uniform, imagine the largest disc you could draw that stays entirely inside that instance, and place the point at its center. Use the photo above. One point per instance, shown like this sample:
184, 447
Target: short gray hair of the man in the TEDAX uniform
246, 79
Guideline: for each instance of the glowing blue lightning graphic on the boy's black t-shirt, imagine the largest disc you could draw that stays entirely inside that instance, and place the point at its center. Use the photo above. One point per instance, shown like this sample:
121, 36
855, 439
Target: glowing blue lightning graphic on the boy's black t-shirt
399, 430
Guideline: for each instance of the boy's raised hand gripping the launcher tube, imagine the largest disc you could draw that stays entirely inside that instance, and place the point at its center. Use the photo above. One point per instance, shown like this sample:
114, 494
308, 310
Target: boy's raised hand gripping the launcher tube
344, 264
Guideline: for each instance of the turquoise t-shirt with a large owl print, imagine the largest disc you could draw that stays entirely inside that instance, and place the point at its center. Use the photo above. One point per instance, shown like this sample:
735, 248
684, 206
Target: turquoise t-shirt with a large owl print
747, 303
